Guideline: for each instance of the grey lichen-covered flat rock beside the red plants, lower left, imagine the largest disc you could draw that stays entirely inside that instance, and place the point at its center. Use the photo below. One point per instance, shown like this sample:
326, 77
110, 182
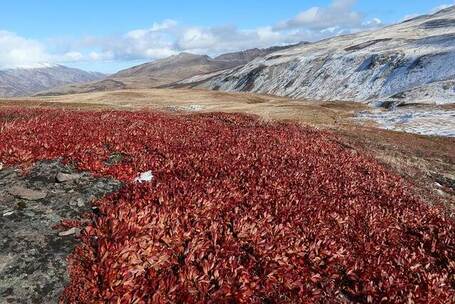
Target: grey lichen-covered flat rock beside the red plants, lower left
33, 266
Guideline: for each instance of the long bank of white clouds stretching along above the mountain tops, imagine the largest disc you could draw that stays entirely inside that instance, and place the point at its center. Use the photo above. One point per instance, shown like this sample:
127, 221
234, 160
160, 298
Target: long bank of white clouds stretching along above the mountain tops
168, 37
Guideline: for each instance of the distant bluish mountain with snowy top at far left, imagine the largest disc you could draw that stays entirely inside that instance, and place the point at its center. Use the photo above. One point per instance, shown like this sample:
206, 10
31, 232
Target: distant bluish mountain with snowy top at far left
24, 82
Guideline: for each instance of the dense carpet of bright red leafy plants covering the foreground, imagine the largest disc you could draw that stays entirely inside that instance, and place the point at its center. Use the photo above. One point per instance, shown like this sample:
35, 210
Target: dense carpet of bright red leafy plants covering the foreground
238, 212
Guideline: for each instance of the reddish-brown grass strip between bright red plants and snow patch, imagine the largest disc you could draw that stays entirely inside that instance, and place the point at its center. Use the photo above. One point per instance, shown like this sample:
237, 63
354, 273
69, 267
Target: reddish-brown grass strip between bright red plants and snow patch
425, 161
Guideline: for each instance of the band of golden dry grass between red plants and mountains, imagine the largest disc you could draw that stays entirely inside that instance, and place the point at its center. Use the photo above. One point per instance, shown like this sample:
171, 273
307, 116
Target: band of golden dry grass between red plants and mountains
267, 107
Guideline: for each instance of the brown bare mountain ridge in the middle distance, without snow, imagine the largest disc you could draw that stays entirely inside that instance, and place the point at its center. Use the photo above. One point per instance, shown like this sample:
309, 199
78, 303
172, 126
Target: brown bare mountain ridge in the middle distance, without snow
166, 71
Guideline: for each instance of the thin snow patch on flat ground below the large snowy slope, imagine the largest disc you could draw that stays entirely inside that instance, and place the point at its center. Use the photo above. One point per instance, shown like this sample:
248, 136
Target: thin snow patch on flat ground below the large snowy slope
419, 121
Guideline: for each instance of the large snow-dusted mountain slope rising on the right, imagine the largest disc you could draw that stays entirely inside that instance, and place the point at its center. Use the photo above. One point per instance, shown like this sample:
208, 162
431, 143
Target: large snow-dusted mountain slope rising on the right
414, 59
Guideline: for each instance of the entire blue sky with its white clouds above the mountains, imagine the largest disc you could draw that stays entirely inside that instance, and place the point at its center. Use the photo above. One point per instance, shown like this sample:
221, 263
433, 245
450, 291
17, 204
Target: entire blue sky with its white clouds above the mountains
108, 35
